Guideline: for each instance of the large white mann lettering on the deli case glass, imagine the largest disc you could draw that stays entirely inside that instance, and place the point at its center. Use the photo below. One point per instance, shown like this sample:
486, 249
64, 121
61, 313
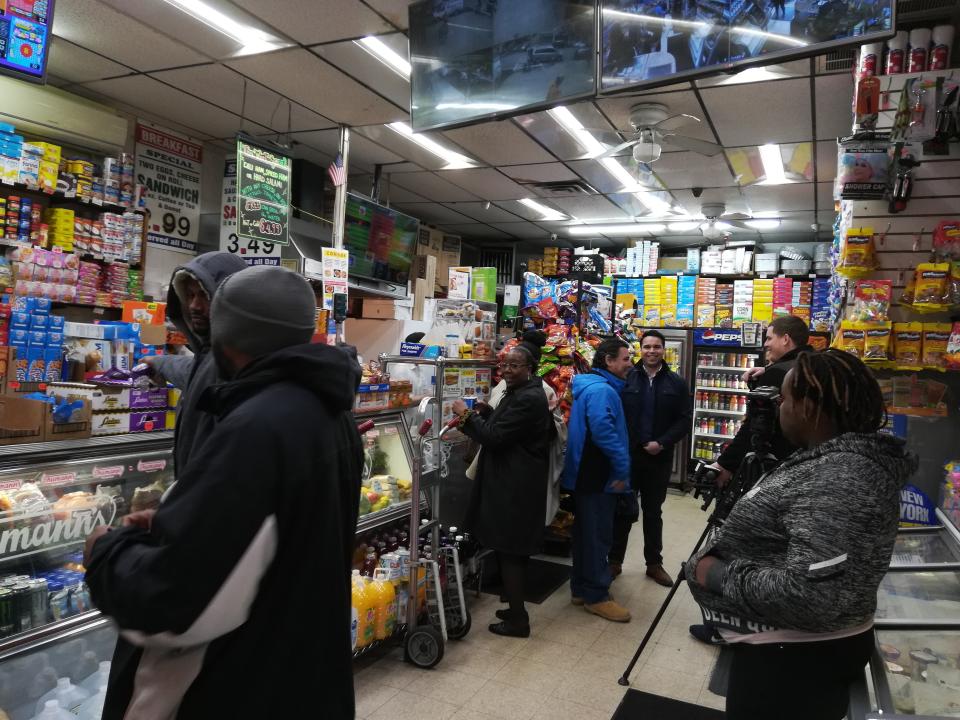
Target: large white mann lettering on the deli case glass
51, 532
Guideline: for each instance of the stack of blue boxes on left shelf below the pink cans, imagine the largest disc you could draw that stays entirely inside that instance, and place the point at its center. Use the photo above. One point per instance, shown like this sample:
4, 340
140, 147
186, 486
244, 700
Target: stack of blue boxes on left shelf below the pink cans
36, 337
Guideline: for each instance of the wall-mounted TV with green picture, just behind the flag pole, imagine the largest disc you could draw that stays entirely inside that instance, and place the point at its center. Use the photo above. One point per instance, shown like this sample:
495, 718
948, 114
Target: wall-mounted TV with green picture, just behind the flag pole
382, 242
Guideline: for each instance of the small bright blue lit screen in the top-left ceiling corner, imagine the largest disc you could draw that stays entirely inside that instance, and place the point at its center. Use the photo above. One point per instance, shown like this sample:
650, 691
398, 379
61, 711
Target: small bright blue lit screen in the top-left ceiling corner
25, 27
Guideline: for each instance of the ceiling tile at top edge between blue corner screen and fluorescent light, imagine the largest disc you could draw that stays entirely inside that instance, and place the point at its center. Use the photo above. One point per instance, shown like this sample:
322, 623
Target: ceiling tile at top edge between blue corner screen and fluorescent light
100, 28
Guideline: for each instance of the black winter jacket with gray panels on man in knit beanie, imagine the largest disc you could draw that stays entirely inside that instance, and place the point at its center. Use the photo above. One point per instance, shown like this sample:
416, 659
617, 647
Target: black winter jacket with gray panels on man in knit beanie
237, 600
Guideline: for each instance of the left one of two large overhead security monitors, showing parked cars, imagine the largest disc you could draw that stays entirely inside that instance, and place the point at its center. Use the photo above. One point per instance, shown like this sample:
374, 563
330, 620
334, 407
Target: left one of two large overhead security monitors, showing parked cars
475, 59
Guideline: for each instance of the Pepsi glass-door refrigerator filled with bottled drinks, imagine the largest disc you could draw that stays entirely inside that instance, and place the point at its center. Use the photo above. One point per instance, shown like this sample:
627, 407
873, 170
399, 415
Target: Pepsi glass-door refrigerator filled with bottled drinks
719, 393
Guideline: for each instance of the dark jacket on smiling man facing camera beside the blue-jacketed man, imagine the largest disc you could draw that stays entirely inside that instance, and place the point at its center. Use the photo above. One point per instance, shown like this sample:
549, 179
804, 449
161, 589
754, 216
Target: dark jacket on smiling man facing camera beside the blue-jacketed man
671, 414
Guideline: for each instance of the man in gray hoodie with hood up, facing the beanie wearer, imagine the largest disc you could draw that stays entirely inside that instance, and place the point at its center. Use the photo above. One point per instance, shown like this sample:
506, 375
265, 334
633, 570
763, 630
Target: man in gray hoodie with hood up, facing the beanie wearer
192, 287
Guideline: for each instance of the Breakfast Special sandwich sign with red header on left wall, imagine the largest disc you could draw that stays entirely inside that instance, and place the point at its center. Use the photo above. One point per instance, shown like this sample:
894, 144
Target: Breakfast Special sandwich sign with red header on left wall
169, 167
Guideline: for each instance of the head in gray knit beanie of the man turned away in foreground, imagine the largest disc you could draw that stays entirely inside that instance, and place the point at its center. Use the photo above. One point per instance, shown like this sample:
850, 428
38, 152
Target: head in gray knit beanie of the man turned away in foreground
259, 311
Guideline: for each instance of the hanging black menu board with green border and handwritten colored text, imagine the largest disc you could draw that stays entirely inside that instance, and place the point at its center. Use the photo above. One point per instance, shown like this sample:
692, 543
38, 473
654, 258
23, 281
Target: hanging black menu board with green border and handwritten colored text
263, 194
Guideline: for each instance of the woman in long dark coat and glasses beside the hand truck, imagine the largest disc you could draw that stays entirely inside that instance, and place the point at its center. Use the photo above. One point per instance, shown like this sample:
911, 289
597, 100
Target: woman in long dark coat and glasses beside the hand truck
509, 496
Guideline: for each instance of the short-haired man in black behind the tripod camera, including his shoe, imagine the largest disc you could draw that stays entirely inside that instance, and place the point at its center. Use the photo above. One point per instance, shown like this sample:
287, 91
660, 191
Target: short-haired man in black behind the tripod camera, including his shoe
786, 338
